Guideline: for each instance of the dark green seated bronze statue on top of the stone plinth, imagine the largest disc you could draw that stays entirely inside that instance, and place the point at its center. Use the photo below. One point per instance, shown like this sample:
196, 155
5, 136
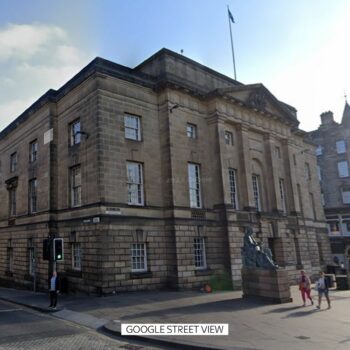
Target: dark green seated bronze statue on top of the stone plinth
256, 255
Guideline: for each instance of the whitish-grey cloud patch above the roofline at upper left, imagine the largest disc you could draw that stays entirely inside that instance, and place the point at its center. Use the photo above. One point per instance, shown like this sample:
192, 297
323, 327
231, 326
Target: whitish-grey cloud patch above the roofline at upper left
34, 58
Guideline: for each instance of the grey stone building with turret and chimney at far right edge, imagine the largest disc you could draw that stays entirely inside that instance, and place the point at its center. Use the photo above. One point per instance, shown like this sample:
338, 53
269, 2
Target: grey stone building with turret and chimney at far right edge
333, 158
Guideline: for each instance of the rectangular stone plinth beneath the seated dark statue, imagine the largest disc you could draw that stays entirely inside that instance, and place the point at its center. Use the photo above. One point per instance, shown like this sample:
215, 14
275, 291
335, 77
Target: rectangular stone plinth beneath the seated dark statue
270, 285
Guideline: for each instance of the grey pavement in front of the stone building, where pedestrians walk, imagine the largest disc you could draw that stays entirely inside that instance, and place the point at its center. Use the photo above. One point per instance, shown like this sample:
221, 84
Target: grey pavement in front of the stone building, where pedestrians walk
253, 324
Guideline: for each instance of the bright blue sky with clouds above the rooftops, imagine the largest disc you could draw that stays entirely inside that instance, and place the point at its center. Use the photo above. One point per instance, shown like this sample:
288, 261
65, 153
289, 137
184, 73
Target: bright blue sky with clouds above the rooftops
299, 50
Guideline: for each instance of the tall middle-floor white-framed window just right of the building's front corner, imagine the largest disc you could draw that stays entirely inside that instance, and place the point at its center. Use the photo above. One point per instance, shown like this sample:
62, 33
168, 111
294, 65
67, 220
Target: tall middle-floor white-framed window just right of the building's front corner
135, 183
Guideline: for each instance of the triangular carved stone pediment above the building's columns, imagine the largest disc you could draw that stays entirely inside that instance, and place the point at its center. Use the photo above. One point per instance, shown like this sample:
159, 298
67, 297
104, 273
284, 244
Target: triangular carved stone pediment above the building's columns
258, 97
